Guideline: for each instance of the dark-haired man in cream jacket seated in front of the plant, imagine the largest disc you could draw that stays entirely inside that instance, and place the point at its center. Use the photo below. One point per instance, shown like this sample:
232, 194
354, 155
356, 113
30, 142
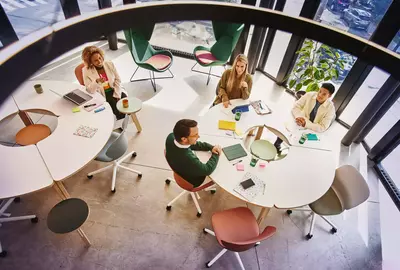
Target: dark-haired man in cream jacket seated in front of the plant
315, 110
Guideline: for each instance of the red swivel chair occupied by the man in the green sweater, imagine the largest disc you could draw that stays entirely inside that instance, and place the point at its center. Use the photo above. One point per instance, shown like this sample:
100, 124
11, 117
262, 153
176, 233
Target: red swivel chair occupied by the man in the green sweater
188, 187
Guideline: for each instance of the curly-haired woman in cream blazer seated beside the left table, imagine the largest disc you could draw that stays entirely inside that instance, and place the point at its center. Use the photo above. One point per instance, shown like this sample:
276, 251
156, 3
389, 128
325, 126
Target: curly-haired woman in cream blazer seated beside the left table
102, 76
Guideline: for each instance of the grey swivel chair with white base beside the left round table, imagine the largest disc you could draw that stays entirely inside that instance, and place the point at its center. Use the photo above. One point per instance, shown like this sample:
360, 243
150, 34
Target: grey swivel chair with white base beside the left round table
114, 151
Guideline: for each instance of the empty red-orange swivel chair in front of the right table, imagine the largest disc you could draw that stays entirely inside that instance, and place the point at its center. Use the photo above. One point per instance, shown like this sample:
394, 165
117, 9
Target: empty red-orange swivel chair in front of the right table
236, 230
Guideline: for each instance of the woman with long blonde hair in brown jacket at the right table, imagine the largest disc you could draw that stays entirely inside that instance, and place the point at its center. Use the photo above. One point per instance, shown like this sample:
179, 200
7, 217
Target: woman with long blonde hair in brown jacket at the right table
235, 83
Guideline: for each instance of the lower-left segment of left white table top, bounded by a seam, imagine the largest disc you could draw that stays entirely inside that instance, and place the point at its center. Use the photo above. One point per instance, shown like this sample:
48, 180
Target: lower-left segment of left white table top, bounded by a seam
22, 171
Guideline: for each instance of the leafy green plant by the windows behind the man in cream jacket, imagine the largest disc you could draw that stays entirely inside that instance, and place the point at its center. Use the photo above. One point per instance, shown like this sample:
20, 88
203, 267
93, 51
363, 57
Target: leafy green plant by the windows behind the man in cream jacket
316, 63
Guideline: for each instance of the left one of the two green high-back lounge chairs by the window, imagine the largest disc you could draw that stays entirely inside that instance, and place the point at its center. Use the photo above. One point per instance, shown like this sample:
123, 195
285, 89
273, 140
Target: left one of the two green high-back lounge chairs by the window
145, 56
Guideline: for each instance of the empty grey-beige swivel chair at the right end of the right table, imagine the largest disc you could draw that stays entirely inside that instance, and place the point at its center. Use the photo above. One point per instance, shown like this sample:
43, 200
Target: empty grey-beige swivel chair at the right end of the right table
348, 190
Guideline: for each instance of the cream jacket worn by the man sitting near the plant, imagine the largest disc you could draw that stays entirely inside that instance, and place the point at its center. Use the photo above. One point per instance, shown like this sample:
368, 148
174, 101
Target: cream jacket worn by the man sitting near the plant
325, 114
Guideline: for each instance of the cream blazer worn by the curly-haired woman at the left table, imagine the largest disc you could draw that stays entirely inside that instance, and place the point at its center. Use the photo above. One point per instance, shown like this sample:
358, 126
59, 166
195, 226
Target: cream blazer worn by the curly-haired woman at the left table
90, 75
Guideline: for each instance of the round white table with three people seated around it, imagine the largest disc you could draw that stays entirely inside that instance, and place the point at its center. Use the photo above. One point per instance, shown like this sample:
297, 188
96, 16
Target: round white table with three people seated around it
300, 178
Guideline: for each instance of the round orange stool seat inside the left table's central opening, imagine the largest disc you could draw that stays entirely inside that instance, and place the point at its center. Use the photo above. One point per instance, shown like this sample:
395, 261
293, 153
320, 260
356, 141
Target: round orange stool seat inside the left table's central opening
32, 134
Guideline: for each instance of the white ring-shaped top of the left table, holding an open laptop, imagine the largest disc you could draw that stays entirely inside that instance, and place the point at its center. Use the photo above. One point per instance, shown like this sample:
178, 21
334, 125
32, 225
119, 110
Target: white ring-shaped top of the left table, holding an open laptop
62, 153
